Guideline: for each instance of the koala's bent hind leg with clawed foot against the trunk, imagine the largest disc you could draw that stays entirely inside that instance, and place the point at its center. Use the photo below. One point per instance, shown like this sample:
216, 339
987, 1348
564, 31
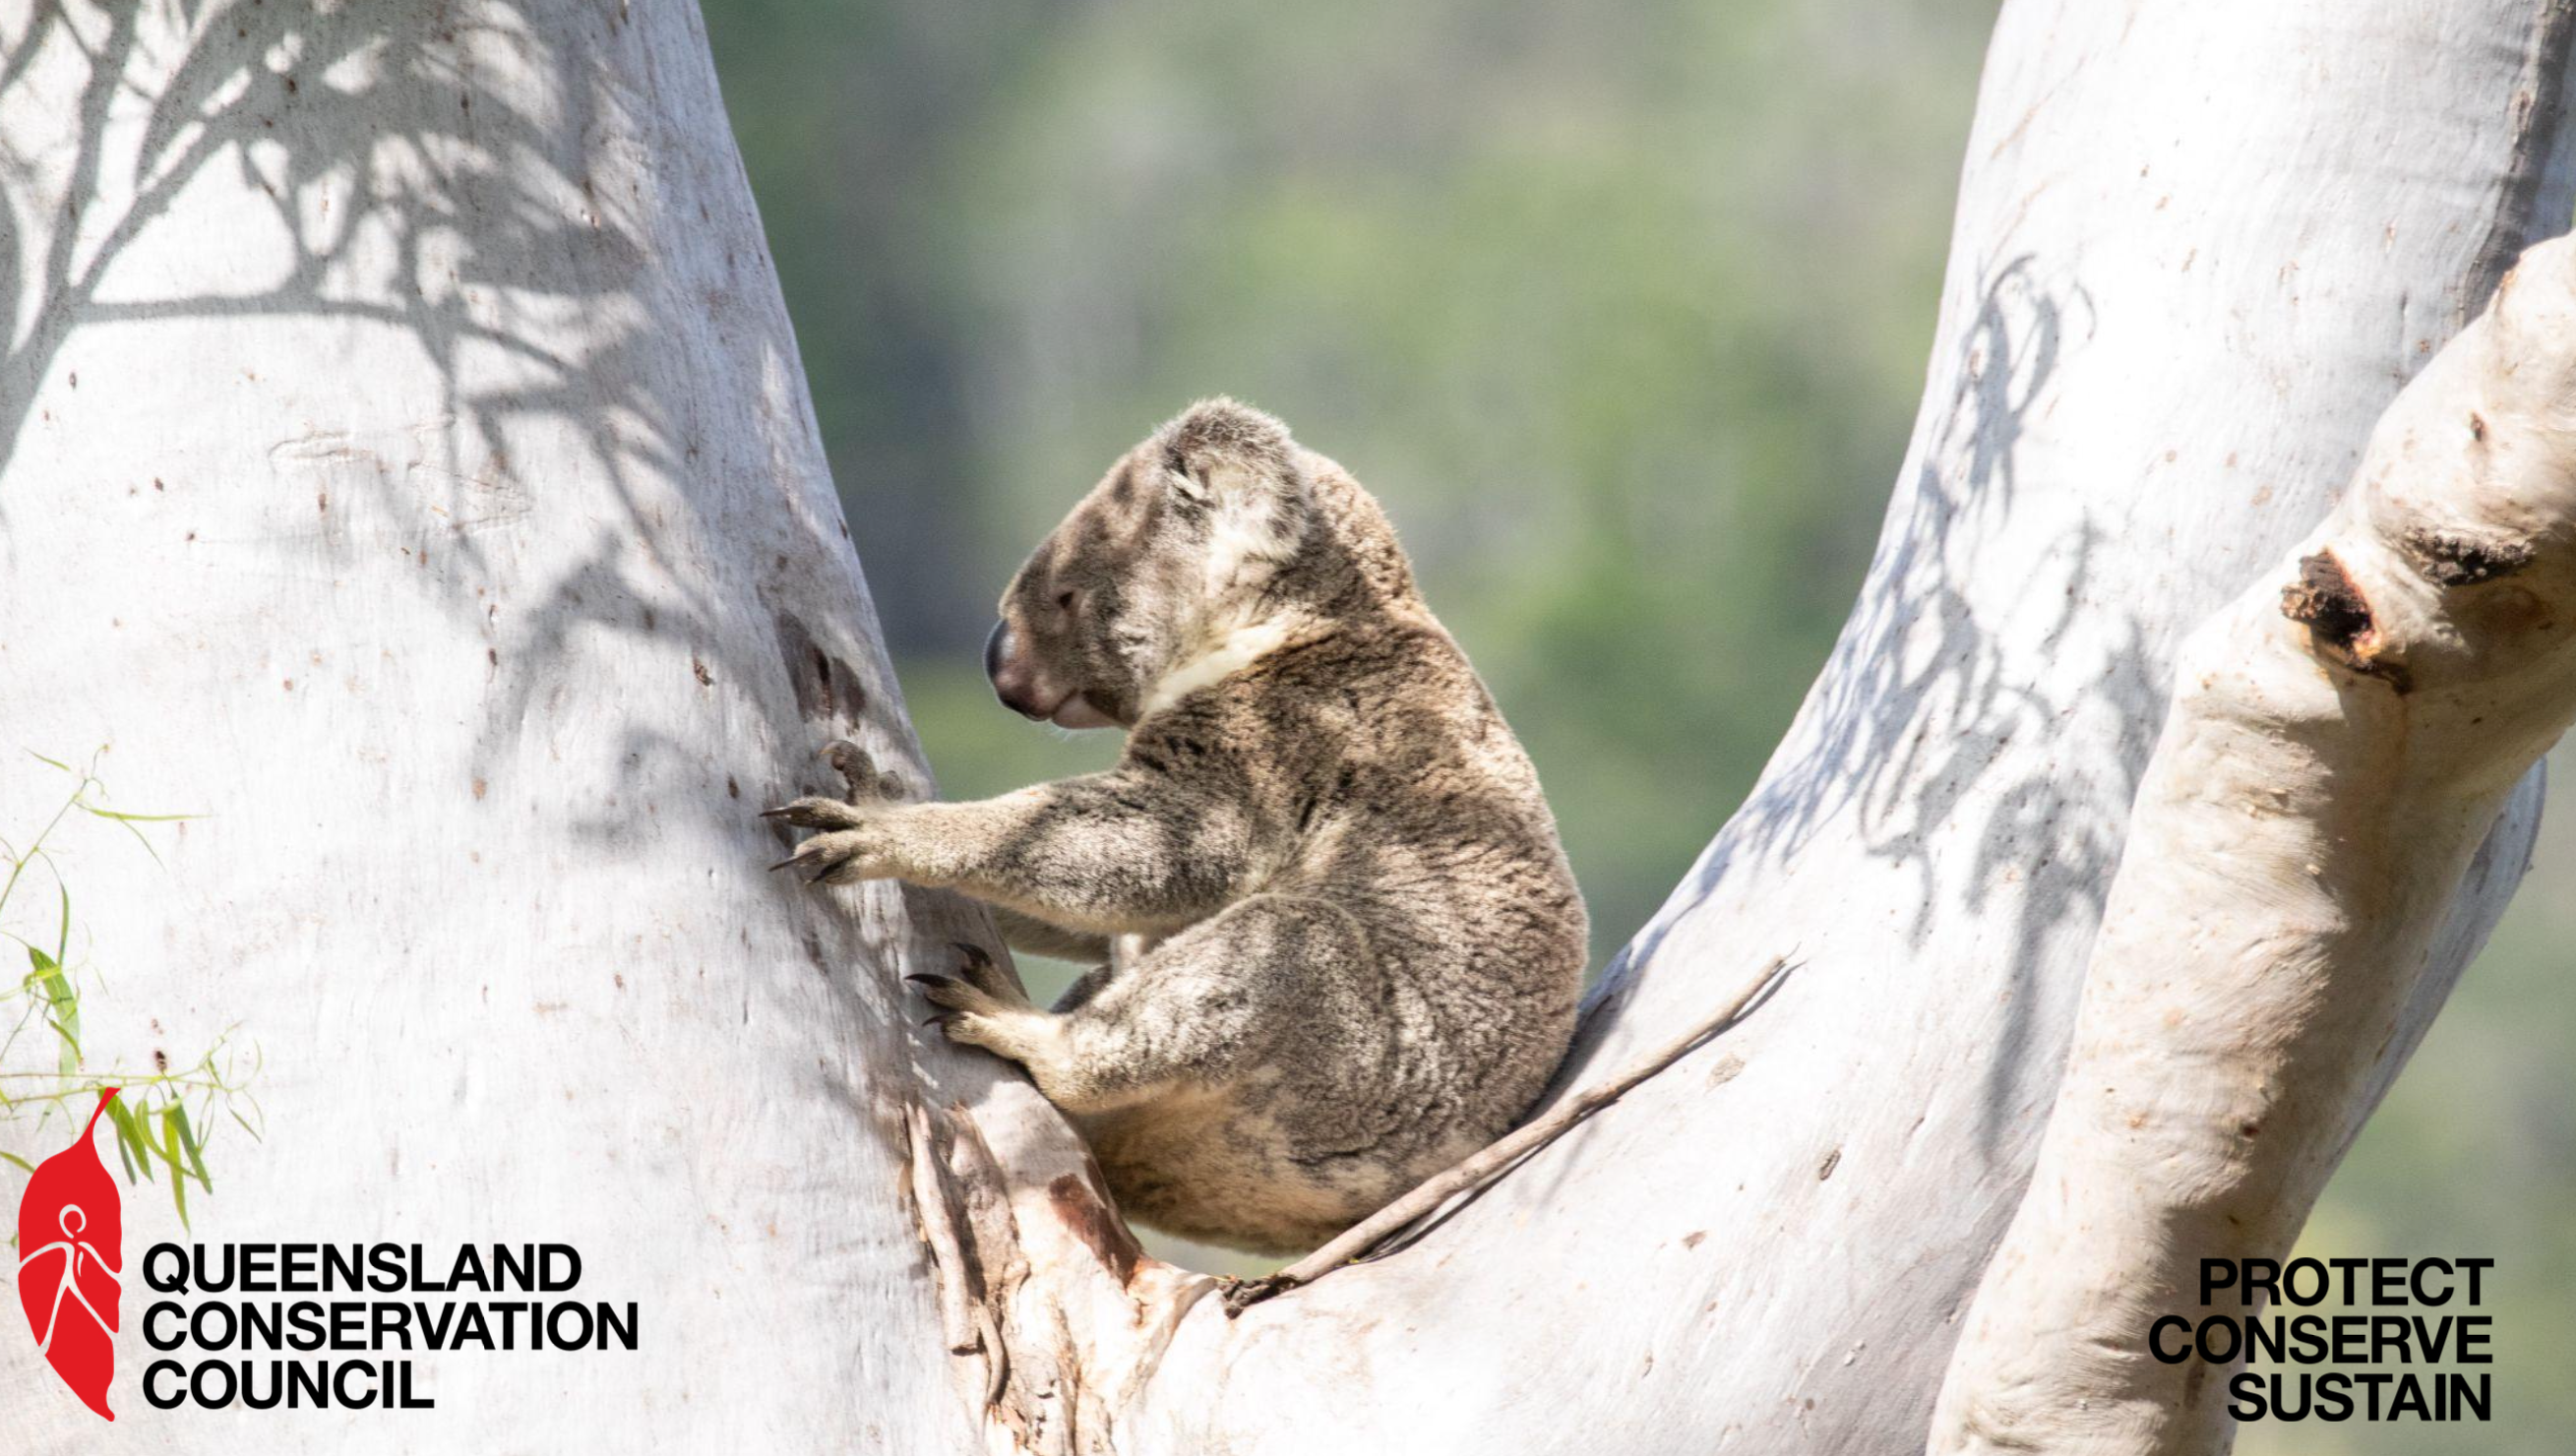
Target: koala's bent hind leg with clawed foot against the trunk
1202, 1009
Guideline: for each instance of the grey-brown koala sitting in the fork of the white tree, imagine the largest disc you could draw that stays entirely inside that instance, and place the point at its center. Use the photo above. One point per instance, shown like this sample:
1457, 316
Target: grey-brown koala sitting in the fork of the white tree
1338, 944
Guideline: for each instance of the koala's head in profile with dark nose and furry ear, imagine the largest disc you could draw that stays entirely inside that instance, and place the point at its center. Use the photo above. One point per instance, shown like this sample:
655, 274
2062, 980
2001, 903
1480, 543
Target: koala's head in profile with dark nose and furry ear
1132, 581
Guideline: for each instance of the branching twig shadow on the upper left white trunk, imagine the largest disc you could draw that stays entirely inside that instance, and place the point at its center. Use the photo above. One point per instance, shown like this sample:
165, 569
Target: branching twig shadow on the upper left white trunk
457, 174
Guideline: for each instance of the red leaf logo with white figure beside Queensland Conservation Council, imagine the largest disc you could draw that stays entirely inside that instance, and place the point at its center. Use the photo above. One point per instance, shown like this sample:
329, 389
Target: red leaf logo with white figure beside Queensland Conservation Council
71, 1246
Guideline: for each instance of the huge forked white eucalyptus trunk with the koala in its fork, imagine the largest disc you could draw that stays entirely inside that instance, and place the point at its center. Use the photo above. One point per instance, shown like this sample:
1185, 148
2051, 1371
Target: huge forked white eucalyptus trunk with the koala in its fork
406, 465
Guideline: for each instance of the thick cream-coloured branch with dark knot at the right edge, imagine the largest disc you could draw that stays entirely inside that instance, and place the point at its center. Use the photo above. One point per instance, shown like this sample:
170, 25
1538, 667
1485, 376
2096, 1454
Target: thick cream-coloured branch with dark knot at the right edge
2260, 991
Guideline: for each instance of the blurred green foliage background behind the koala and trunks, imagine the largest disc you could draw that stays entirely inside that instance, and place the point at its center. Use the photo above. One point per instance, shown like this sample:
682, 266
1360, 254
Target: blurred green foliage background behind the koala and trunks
1622, 311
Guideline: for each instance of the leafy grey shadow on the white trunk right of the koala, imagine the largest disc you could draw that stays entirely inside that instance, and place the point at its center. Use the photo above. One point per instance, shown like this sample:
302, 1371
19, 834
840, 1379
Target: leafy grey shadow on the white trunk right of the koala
1923, 694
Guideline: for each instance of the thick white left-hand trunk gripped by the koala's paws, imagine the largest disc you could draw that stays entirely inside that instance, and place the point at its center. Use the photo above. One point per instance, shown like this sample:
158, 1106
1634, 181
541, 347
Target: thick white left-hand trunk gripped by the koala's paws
408, 470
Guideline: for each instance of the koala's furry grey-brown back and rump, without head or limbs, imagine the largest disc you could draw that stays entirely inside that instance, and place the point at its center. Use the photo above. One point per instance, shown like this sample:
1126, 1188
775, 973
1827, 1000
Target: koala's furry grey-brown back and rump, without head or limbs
1405, 973
